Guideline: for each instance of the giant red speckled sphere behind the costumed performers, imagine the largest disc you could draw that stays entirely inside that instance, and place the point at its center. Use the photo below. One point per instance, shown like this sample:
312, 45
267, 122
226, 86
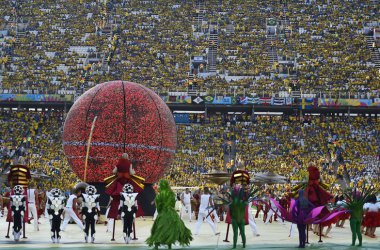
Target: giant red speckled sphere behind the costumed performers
130, 118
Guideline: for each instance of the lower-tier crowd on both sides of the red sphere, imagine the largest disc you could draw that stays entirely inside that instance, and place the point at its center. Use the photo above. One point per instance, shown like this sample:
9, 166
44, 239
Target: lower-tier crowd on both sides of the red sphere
281, 144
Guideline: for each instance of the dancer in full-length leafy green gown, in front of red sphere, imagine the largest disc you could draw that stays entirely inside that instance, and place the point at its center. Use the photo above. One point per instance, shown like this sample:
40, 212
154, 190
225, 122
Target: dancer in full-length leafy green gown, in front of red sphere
168, 228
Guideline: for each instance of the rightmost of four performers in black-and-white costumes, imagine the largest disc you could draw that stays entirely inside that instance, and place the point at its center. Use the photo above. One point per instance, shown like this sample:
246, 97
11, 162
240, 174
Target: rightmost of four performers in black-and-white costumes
128, 209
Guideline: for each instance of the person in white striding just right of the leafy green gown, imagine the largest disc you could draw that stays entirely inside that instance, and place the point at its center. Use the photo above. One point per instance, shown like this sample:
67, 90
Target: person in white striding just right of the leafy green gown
205, 207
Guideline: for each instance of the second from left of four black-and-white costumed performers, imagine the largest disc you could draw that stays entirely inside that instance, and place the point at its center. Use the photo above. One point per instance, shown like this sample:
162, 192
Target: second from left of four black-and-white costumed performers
55, 205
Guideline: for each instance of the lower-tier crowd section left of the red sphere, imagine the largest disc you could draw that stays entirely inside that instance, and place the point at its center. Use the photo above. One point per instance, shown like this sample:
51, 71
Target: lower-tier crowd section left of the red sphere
37, 137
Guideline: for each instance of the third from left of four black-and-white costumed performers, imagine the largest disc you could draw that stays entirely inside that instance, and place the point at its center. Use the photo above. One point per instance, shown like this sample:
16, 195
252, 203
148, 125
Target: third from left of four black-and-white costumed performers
90, 211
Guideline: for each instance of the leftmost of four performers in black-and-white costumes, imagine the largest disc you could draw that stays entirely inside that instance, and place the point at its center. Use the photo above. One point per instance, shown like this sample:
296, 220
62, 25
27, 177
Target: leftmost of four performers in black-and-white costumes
18, 207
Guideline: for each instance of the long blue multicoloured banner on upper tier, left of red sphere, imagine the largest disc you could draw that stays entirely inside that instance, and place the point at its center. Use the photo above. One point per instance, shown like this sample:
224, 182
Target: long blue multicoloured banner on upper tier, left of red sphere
35, 98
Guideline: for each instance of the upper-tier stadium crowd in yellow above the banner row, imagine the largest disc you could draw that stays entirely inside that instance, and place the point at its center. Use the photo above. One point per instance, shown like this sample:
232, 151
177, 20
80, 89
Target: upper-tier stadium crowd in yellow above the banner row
77, 44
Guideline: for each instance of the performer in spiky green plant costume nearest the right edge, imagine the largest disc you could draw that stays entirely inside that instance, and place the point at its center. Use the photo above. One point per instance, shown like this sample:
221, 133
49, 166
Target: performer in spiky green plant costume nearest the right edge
354, 203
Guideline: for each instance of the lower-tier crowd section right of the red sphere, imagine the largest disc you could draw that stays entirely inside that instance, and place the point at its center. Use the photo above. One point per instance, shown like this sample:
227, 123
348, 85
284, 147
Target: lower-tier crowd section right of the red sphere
281, 144
